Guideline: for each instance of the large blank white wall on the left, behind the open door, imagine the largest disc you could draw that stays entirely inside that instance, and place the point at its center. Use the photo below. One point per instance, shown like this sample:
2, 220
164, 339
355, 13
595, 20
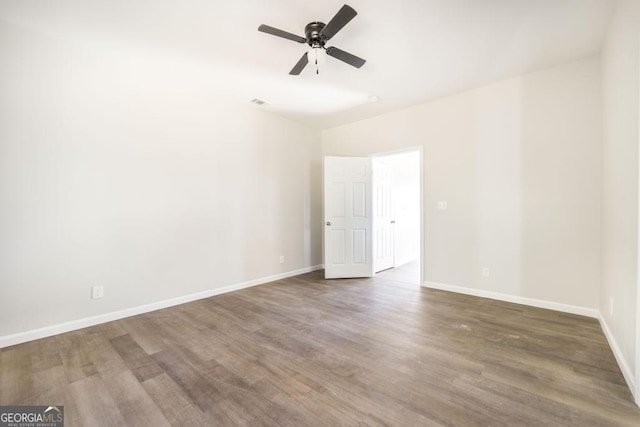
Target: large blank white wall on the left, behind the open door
140, 174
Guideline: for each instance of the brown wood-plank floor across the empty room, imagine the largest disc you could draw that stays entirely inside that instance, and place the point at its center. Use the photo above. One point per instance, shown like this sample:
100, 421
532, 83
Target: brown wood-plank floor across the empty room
305, 351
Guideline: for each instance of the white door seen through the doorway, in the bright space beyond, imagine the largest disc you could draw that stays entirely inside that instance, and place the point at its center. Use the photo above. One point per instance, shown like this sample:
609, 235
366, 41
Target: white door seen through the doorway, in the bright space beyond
383, 221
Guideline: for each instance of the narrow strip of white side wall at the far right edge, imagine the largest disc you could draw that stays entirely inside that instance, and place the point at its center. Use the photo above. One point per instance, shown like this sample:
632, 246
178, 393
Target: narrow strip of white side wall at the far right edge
621, 73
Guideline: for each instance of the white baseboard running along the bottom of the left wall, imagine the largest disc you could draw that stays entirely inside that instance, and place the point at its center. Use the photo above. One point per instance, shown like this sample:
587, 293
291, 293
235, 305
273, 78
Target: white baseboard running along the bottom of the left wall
47, 331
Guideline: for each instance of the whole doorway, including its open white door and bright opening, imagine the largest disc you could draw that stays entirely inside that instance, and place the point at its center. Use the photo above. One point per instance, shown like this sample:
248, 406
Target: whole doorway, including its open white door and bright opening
350, 242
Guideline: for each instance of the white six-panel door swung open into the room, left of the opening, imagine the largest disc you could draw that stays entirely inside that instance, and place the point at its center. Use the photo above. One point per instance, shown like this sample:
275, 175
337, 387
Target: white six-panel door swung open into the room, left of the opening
348, 245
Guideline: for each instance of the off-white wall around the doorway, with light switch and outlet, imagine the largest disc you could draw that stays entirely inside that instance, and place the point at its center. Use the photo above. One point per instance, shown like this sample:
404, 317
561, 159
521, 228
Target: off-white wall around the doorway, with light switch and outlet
519, 164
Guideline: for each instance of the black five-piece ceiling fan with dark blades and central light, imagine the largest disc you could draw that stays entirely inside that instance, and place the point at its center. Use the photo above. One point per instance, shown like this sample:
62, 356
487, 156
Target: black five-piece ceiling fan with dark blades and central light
317, 34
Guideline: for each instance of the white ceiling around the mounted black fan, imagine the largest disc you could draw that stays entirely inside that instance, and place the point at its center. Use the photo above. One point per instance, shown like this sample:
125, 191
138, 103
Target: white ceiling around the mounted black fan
416, 50
